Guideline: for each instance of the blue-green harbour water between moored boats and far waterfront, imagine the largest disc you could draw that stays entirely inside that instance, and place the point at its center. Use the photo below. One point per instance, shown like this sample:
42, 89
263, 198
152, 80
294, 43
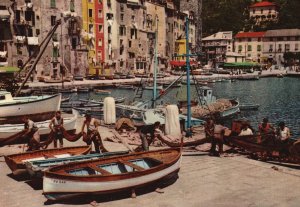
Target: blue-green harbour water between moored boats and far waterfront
279, 99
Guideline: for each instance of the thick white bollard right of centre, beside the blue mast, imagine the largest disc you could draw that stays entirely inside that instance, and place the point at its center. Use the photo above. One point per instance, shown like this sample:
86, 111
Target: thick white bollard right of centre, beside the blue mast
172, 125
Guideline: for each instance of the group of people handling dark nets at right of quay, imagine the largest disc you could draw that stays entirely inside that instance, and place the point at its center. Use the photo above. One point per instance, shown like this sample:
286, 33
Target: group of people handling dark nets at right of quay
215, 131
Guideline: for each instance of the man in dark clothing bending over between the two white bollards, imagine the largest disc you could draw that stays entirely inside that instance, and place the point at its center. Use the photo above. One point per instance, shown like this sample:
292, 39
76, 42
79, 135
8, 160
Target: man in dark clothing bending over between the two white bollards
148, 129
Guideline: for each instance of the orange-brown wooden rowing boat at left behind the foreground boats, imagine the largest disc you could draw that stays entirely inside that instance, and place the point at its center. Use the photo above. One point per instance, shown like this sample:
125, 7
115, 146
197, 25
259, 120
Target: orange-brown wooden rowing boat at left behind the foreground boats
16, 162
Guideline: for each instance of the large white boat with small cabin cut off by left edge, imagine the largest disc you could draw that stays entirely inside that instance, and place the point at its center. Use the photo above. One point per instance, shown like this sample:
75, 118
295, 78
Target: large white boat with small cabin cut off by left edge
12, 109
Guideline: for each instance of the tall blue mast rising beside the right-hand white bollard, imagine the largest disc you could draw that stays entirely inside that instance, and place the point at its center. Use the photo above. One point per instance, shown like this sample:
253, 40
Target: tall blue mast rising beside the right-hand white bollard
188, 85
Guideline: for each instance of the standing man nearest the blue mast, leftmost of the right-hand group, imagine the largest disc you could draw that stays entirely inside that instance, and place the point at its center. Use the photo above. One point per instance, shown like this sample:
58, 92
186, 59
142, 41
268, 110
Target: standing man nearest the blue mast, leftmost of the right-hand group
218, 138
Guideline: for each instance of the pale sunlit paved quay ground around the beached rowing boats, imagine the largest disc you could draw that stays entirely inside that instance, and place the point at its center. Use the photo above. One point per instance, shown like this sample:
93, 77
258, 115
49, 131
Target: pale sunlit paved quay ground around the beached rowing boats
203, 181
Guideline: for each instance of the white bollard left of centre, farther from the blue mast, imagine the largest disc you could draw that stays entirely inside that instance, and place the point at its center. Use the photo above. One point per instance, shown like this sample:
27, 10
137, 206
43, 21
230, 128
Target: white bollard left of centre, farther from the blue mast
109, 110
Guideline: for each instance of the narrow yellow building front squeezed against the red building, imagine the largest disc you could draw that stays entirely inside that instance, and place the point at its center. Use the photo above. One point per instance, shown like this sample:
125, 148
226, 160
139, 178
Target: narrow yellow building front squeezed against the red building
88, 16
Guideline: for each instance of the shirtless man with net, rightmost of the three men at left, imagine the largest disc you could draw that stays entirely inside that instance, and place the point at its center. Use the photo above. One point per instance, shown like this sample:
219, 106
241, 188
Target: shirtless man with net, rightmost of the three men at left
92, 134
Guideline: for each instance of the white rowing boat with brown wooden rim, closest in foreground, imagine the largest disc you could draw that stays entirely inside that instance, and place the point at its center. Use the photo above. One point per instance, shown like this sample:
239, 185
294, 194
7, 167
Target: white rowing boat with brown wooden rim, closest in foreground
110, 174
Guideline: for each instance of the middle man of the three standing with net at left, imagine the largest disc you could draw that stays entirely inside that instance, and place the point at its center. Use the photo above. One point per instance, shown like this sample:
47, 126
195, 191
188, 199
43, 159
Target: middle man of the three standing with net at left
56, 126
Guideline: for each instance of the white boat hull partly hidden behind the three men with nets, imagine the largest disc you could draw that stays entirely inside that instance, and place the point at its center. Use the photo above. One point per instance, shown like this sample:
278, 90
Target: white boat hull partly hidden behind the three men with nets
8, 130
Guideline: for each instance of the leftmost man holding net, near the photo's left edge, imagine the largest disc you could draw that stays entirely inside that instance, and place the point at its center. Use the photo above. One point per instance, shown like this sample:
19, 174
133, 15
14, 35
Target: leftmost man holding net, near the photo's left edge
31, 131
